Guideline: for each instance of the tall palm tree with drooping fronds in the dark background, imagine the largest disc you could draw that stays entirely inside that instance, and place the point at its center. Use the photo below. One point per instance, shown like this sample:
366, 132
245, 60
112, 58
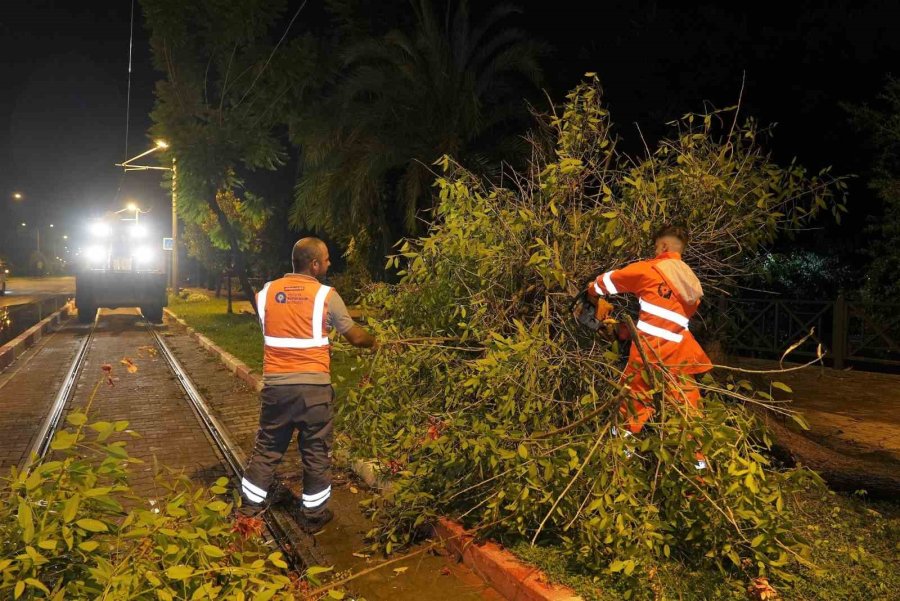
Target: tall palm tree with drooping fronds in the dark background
399, 103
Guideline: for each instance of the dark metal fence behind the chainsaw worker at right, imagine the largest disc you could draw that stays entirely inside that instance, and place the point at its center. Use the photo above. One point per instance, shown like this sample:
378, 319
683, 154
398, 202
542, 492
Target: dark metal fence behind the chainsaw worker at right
850, 331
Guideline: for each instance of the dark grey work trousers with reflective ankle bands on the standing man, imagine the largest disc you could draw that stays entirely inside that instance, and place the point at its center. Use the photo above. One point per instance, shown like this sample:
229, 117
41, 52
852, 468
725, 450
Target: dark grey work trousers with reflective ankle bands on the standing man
308, 409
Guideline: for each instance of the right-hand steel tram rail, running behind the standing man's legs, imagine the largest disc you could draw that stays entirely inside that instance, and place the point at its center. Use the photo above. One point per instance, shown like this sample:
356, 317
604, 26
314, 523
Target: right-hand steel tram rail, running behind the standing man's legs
299, 547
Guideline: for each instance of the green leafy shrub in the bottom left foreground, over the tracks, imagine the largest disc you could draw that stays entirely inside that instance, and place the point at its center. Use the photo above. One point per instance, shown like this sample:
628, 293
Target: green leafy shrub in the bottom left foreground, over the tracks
73, 528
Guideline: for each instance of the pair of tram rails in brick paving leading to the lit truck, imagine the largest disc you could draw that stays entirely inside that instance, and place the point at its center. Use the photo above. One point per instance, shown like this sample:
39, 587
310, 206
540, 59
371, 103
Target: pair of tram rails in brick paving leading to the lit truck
300, 549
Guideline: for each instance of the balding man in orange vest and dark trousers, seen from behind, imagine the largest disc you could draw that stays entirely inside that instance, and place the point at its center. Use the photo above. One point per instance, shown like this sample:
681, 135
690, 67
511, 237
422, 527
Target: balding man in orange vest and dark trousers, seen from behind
296, 313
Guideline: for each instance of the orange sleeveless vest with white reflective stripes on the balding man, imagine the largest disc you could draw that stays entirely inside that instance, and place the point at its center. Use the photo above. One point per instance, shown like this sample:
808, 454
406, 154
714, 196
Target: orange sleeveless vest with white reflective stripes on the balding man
292, 312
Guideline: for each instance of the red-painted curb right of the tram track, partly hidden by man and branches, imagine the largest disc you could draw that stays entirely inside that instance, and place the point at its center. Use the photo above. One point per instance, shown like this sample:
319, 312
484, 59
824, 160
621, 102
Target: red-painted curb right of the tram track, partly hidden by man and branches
508, 575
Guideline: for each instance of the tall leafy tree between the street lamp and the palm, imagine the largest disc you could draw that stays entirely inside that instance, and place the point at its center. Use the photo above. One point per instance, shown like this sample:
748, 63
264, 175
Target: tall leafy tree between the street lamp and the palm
224, 93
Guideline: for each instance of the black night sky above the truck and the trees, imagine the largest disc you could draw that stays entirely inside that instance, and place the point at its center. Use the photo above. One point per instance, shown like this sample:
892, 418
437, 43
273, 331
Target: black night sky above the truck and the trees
64, 72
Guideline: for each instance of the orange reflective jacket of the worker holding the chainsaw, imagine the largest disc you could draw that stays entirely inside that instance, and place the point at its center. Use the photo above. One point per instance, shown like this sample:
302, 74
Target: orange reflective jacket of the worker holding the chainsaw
669, 294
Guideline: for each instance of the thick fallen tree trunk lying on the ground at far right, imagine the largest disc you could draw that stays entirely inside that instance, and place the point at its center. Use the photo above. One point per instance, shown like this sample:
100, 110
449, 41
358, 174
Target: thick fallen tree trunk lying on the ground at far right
878, 476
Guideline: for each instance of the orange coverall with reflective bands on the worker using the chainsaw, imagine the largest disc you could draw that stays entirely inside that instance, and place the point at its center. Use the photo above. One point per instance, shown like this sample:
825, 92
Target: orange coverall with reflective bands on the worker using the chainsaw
669, 295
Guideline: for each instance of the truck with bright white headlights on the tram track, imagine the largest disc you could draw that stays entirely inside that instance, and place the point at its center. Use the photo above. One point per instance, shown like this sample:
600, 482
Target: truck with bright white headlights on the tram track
121, 266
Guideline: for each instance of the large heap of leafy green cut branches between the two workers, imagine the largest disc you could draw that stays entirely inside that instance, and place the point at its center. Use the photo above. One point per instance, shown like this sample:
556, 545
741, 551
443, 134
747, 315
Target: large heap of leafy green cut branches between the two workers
497, 409
